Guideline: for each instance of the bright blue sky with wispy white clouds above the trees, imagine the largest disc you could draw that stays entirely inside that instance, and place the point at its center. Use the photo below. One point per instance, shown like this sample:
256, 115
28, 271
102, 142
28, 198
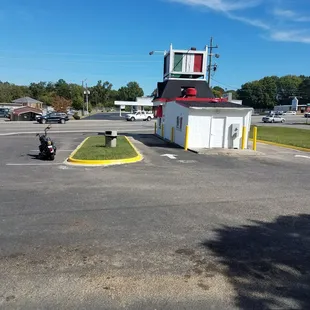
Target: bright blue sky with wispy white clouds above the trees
110, 40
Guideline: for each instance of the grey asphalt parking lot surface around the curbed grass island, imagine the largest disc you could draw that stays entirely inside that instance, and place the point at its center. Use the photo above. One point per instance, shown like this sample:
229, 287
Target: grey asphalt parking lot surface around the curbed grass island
175, 231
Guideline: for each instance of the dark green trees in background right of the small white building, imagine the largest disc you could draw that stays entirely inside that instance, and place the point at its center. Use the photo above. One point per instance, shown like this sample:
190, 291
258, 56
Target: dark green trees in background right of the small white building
270, 91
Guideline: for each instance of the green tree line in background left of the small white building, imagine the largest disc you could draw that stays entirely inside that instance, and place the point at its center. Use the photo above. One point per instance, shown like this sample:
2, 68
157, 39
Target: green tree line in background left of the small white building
62, 93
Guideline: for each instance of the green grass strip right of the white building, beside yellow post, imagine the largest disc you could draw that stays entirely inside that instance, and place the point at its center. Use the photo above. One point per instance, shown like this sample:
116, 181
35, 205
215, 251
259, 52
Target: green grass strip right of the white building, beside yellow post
284, 135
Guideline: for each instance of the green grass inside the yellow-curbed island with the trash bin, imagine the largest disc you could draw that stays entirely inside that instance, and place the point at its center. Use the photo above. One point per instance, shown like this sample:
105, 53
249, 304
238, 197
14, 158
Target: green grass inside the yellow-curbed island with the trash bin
94, 149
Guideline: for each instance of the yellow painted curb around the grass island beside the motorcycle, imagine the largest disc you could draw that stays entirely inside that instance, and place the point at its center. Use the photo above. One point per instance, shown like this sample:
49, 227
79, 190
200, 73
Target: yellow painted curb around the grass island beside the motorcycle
130, 160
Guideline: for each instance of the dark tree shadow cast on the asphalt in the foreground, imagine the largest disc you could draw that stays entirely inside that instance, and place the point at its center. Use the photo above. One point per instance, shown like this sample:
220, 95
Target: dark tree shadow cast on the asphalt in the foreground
268, 263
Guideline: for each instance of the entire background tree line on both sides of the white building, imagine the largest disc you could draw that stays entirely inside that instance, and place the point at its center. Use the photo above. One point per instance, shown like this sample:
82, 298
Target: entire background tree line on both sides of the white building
261, 94
